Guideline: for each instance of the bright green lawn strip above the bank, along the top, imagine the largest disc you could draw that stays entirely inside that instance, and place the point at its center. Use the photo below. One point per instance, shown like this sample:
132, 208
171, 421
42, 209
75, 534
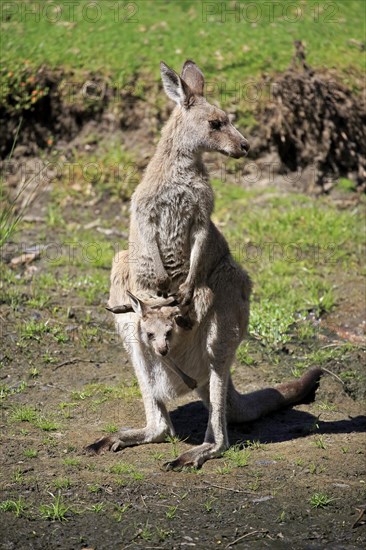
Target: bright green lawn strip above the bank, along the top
132, 42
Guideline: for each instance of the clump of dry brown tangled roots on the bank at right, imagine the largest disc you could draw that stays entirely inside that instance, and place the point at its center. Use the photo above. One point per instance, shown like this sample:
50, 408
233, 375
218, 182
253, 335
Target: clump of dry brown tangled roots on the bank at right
314, 120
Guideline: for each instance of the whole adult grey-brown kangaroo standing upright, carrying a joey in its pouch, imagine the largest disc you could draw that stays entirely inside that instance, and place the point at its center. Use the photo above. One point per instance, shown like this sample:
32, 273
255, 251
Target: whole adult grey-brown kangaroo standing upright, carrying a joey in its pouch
174, 247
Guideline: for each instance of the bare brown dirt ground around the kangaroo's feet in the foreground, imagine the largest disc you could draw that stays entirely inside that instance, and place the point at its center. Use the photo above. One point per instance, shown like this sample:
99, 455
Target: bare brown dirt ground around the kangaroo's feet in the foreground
265, 504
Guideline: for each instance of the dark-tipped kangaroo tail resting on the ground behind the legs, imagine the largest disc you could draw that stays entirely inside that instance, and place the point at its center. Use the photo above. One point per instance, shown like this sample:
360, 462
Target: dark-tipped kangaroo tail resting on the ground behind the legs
251, 406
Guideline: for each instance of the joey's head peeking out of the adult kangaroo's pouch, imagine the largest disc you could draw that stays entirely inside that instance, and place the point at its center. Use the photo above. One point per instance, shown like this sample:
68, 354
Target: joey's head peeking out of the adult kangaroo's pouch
159, 326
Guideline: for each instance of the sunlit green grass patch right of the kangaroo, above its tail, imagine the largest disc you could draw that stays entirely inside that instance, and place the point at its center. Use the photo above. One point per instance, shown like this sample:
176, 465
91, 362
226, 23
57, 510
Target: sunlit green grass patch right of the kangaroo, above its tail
293, 247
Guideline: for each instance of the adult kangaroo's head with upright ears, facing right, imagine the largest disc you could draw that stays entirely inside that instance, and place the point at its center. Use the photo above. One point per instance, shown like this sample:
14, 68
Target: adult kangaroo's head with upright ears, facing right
204, 126
